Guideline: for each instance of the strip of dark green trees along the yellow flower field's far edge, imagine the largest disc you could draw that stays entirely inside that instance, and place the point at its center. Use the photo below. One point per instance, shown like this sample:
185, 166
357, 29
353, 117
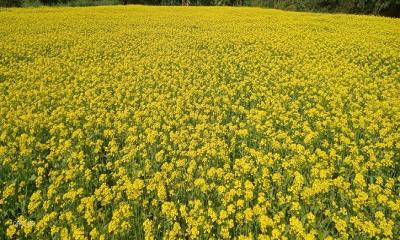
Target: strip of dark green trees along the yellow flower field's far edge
377, 7
